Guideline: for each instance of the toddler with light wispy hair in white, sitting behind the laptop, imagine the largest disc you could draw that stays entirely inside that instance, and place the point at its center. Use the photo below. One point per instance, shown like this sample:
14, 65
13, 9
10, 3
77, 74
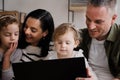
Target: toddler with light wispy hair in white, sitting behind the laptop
66, 38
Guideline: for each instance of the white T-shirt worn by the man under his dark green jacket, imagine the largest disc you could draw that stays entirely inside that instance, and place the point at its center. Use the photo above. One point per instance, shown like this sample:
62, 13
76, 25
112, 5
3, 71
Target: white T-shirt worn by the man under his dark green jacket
98, 60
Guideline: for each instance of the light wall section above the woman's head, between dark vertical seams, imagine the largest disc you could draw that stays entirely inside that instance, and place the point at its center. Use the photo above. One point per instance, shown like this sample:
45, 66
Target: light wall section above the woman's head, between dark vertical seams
58, 9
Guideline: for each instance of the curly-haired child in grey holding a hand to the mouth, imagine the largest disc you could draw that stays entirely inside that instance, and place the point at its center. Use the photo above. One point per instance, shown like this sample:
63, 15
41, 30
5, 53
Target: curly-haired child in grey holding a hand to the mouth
9, 35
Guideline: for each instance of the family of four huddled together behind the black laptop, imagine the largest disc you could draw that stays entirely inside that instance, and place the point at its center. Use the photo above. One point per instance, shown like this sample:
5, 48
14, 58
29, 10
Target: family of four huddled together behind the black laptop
99, 43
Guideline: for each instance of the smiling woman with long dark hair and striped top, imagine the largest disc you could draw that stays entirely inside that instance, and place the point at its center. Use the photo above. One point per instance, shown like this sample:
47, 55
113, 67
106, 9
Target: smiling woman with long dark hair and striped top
37, 31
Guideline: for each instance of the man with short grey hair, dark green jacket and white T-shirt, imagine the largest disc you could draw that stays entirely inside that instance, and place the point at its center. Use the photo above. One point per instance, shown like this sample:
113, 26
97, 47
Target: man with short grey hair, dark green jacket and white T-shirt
101, 42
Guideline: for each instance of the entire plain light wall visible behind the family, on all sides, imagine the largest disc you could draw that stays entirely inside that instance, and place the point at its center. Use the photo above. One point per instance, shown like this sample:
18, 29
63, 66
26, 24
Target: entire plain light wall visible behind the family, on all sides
58, 9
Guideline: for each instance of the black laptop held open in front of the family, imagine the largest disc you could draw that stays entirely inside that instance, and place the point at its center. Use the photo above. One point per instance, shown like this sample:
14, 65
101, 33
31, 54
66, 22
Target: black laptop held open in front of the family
56, 69
